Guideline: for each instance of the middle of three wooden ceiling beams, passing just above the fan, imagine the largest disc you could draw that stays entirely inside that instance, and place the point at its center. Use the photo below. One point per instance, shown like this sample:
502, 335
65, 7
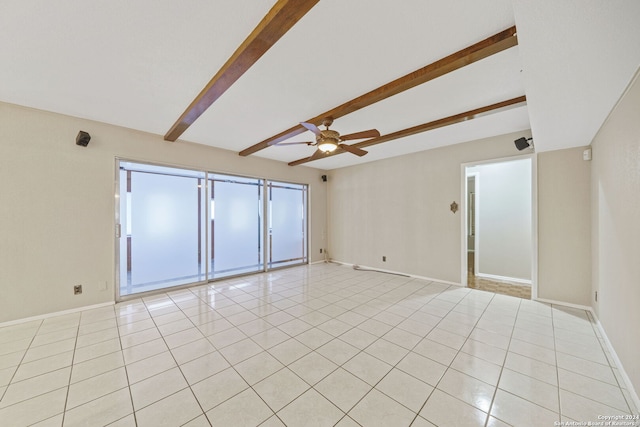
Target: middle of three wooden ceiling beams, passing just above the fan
487, 47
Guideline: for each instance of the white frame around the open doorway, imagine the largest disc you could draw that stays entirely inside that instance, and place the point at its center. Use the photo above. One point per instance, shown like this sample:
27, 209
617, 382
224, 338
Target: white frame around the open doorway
534, 217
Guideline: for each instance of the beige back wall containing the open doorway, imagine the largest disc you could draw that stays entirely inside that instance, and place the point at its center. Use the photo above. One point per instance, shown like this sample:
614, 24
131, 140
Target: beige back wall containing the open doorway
399, 208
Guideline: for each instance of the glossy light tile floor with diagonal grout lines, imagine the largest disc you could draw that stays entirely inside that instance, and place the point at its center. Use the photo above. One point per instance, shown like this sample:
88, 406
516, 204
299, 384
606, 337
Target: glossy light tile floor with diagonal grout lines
318, 345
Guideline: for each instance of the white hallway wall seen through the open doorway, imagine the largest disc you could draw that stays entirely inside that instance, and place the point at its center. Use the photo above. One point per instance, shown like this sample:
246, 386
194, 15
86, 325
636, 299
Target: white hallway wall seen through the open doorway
504, 219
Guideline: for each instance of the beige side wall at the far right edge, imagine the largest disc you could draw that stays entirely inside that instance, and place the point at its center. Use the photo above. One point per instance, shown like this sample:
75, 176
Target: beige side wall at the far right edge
615, 187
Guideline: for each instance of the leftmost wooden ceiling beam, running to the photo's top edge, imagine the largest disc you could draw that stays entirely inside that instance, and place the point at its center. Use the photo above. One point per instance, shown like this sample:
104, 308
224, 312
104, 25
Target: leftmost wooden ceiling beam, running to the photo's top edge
282, 16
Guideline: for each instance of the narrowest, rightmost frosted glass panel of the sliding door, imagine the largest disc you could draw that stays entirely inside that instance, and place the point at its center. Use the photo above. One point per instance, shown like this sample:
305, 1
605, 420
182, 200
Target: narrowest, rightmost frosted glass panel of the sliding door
288, 224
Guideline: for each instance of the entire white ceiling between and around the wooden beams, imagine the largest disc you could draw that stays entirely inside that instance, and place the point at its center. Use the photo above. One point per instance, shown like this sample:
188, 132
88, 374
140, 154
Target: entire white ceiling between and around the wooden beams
140, 63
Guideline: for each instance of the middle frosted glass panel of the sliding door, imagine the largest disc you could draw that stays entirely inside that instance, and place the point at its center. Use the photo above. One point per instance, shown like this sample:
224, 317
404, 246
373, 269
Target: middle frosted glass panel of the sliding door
236, 218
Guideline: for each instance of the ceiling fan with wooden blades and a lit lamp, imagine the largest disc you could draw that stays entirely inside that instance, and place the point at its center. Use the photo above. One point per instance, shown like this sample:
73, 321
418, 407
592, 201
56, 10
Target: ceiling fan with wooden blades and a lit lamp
328, 140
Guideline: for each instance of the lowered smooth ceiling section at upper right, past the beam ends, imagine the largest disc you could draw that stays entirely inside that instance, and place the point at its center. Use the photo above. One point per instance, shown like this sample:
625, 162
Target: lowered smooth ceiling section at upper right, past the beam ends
578, 58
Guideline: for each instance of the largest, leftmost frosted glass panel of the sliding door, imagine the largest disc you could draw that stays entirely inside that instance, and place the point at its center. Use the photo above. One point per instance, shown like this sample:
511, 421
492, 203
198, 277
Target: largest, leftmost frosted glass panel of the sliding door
165, 244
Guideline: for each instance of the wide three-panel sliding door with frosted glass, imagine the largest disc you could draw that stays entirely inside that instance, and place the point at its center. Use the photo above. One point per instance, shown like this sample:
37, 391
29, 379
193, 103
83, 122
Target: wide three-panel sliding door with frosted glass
180, 226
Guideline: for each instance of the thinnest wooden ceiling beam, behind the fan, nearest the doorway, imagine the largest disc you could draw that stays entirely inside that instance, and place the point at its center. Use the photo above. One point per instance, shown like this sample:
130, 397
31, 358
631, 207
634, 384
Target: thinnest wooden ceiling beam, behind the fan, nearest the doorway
462, 117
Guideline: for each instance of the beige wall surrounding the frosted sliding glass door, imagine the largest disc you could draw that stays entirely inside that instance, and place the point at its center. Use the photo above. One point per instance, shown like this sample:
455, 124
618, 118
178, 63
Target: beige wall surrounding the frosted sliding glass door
57, 209
